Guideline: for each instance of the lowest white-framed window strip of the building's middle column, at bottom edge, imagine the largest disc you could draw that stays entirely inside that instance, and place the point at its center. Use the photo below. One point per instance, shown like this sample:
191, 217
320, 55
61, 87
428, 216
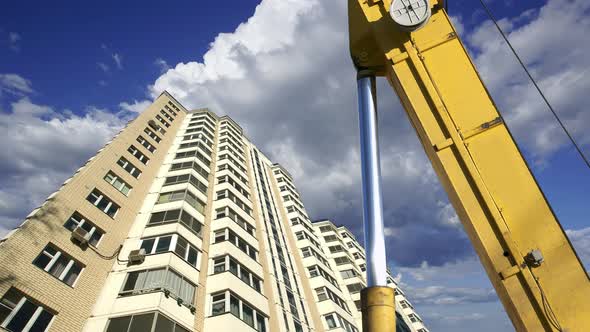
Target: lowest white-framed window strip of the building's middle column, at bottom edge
222, 302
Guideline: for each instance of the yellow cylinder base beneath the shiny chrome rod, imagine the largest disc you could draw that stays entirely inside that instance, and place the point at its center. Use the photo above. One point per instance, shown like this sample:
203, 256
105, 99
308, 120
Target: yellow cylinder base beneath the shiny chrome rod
378, 309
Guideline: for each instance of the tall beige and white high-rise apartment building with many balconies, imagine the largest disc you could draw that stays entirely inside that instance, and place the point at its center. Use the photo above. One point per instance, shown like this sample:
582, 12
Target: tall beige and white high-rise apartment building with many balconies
181, 224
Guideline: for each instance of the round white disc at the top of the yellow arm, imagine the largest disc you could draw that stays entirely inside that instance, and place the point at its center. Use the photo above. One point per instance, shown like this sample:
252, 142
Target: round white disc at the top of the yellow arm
410, 15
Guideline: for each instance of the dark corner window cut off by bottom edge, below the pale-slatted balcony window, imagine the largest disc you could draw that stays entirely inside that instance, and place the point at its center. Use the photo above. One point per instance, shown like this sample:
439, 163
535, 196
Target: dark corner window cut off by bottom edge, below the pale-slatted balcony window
144, 322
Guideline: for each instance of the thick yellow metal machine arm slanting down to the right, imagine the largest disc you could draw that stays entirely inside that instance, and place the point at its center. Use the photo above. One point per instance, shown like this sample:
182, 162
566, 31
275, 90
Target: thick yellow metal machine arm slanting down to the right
525, 252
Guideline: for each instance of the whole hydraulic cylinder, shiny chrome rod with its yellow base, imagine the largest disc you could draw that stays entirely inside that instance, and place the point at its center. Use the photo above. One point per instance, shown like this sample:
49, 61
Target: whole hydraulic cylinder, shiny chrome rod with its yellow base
377, 300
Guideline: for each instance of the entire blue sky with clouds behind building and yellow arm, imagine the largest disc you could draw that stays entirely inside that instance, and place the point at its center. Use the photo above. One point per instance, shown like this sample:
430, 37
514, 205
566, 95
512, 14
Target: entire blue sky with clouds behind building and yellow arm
72, 74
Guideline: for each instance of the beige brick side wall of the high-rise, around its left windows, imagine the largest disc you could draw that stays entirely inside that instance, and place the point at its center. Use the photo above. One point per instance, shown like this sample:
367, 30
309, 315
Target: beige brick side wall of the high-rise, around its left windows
71, 305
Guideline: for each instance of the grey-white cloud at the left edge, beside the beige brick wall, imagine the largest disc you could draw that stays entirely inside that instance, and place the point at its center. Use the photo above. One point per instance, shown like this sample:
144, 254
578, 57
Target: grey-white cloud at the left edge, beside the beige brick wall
42, 147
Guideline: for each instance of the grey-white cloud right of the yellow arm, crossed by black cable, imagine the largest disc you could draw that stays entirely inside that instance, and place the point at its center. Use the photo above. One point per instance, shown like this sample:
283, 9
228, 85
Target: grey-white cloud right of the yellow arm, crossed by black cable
562, 75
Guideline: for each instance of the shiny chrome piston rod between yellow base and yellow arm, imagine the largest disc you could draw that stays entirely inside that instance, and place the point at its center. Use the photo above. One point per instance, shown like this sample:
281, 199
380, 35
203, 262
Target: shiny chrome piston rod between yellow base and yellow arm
371, 178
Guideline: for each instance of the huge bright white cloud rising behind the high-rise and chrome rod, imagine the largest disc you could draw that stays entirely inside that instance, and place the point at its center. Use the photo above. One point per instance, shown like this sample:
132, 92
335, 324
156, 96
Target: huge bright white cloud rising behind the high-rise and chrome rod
285, 75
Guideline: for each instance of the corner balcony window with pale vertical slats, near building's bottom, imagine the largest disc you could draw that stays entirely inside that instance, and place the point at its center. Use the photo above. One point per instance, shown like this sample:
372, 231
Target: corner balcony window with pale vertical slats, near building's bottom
159, 280
